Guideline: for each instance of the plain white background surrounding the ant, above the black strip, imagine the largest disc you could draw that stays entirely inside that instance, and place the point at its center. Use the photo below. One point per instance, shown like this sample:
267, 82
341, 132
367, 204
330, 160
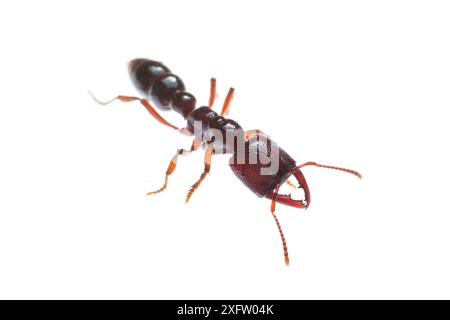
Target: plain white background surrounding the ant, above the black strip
361, 84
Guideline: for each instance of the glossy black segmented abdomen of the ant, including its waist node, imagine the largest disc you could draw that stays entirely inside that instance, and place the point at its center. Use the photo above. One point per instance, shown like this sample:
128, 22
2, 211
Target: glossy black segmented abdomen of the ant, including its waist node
166, 90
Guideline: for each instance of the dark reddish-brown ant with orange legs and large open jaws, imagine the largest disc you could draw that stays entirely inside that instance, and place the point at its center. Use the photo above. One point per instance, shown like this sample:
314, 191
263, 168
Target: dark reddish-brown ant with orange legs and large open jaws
167, 92
